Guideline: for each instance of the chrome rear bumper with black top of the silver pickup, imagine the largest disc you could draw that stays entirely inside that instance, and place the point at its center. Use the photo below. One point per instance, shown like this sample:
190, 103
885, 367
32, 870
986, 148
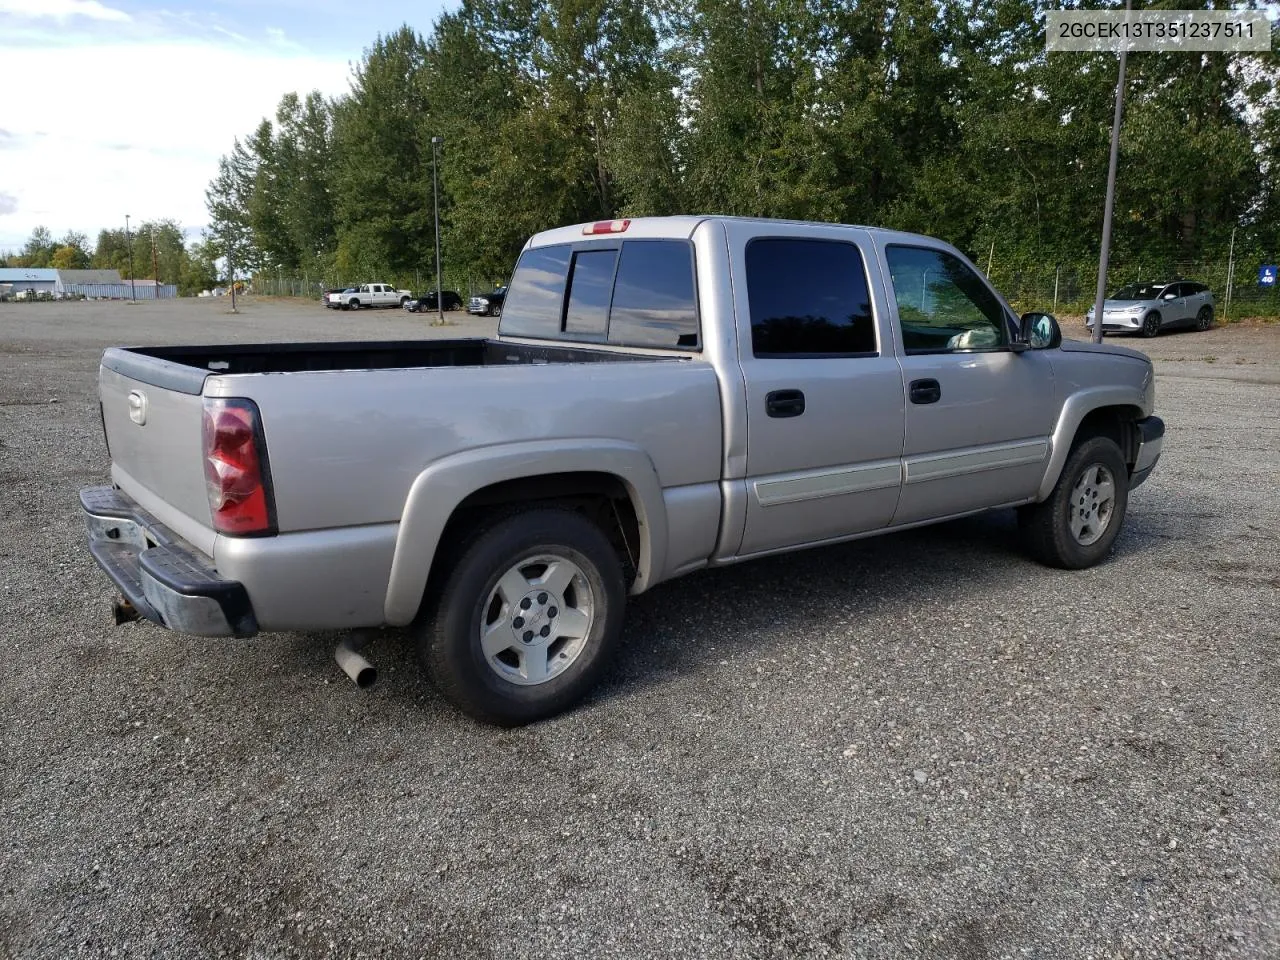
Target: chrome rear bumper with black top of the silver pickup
166, 579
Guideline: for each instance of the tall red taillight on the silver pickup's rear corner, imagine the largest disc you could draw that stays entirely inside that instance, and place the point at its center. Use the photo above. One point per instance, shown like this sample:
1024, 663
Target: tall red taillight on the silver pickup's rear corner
236, 469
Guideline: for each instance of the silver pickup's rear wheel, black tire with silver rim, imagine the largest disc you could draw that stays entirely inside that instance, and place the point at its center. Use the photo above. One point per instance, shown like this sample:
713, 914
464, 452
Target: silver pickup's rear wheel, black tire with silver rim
527, 619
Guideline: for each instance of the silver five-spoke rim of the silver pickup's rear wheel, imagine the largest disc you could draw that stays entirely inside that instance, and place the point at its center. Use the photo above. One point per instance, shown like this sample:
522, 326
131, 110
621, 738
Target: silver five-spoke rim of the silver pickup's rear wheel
537, 620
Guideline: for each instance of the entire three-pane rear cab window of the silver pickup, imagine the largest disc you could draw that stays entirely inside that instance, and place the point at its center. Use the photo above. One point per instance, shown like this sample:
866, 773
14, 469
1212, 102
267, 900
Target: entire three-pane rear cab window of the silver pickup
636, 294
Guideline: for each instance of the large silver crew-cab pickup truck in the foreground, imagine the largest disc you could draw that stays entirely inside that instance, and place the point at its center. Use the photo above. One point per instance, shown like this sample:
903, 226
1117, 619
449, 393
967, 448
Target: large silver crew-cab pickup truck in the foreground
665, 395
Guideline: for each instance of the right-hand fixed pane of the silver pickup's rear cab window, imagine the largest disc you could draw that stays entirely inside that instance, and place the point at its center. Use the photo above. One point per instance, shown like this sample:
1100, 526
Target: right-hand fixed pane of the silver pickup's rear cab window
653, 299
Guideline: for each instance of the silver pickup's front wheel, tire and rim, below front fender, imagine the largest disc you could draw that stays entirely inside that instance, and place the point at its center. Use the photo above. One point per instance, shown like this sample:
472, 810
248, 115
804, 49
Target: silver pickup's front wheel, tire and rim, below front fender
1081, 520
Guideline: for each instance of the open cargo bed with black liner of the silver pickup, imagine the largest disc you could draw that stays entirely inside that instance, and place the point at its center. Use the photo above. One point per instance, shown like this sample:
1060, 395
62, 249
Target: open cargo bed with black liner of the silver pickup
186, 368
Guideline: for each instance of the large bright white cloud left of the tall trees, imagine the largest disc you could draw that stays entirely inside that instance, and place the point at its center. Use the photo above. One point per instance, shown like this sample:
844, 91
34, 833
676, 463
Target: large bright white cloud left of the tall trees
152, 156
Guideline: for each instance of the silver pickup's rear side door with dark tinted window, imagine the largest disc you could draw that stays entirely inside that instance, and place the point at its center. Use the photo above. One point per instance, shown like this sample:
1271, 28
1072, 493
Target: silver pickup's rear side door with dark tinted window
825, 413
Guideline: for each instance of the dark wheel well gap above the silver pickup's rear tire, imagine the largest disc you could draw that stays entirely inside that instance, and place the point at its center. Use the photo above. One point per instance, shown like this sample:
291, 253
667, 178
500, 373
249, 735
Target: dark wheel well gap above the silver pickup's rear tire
602, 499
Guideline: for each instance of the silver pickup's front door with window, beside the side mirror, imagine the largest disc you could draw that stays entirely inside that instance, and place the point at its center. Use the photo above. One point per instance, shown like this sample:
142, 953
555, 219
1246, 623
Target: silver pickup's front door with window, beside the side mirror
979, 415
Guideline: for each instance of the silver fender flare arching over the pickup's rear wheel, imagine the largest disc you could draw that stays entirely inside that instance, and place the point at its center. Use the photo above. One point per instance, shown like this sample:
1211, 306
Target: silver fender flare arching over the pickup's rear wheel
438, 491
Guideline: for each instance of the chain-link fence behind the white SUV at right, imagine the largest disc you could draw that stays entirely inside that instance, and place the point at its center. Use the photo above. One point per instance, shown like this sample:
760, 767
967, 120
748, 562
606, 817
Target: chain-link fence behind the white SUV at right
1068, 290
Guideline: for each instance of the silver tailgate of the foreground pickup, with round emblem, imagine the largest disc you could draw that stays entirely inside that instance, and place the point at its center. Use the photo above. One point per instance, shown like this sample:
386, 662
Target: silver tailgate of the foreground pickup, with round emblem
163, 456
